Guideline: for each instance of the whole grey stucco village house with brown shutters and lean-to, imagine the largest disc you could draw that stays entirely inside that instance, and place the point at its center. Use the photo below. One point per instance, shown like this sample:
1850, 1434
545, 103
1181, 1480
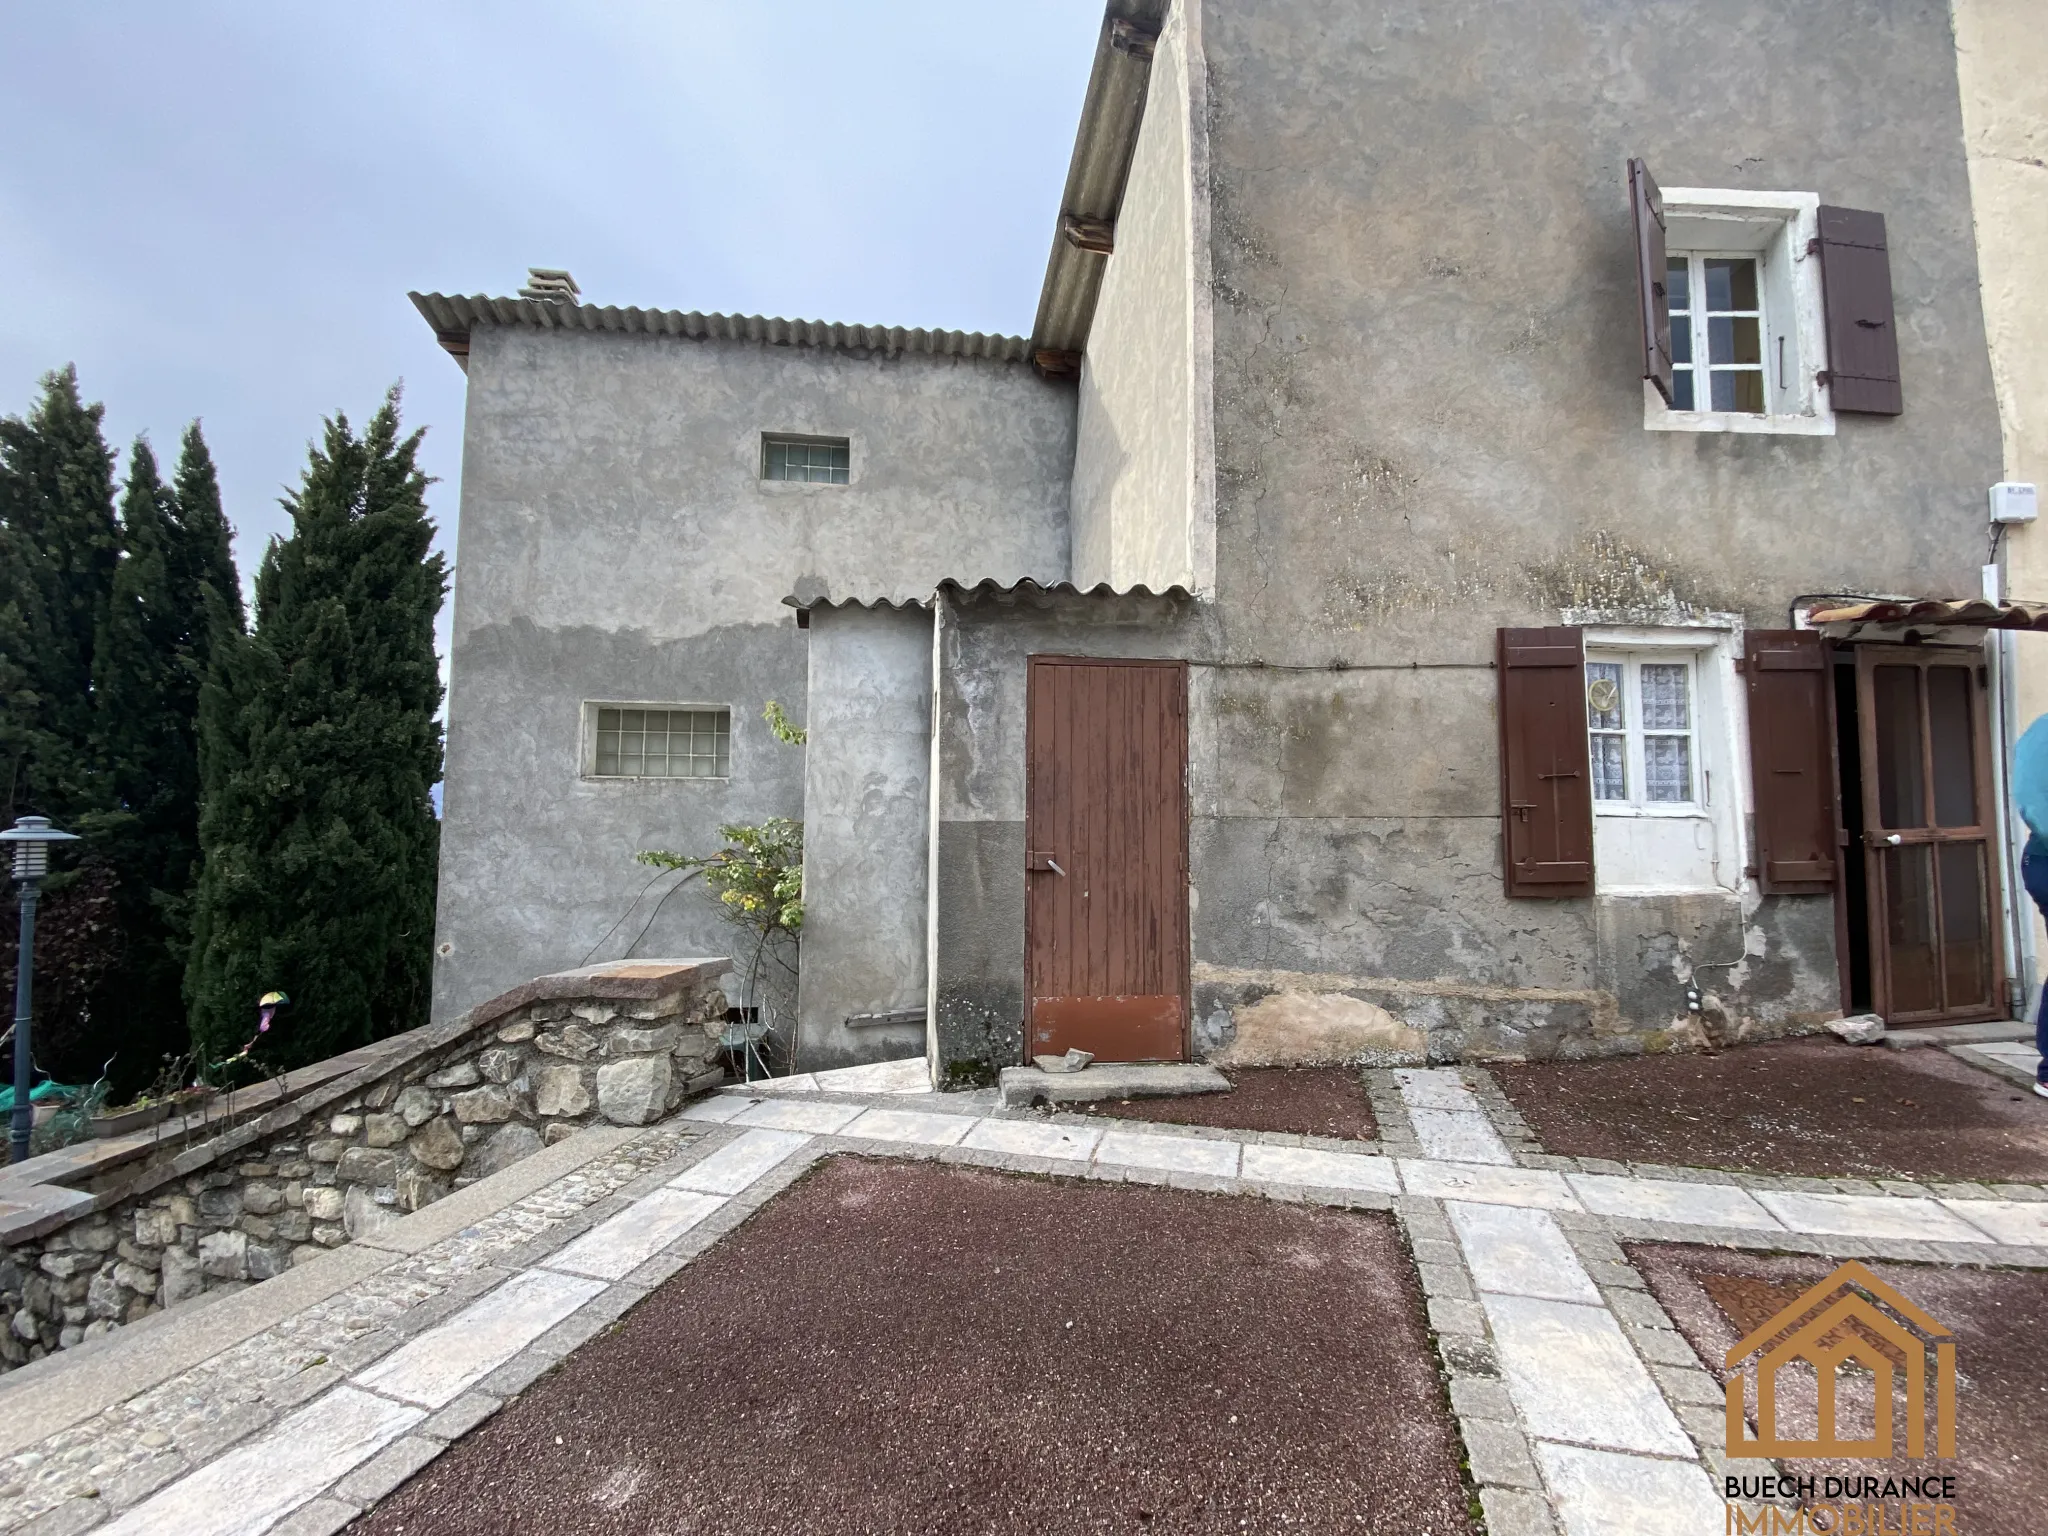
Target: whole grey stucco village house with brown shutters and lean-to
1482, 556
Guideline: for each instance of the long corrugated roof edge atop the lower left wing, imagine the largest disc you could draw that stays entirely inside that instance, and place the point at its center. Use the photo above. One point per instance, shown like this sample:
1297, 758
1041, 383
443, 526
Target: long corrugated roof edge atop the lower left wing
456, 316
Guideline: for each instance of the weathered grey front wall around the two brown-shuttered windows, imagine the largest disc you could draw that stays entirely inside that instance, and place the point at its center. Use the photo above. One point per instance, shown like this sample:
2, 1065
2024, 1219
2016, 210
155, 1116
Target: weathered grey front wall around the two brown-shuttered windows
1431, 425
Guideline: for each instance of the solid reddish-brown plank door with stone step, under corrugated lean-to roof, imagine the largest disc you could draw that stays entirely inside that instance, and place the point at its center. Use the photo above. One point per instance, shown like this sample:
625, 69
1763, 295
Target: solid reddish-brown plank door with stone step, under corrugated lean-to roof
1107, 837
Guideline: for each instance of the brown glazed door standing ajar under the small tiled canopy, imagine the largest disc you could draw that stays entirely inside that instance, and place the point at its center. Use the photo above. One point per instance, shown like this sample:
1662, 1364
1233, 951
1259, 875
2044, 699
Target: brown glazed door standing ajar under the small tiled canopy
1928, 835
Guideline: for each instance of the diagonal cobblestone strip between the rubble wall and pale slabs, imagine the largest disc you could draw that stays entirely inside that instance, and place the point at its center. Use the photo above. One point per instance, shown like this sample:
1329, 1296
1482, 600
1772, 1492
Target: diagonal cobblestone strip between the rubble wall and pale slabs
120, 1457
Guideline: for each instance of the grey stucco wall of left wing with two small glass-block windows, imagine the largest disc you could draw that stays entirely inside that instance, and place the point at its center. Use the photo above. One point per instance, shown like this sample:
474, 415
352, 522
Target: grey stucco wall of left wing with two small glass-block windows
617, 544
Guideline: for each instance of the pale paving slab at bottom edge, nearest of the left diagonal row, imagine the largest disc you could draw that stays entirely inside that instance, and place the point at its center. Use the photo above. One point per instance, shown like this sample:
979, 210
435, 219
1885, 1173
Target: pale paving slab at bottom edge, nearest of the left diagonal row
251, 1488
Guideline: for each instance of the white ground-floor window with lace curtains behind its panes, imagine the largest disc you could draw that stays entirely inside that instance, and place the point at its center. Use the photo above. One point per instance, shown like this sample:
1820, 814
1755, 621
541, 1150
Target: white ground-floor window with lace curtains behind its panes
1641, 732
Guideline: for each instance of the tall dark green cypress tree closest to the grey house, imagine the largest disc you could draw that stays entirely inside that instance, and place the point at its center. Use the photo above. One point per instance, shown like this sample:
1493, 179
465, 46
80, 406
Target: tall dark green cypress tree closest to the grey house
318, 746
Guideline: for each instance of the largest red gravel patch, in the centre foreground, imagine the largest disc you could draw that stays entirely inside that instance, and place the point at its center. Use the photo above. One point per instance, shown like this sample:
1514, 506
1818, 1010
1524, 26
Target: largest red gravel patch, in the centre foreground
912, 1349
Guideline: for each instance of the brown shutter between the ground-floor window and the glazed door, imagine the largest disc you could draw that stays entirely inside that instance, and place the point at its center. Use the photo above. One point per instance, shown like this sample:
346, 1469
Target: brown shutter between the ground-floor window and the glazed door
1791, 761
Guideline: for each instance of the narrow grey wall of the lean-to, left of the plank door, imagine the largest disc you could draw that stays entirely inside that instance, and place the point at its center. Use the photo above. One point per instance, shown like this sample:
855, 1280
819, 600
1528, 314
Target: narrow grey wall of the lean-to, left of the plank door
865, 833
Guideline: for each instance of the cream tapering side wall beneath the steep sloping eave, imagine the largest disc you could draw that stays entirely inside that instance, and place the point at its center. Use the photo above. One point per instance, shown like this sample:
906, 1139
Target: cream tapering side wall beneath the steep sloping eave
1134, 480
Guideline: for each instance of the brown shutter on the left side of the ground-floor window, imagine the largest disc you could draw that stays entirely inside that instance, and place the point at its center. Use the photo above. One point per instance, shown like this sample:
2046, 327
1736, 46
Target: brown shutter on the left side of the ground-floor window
1547, 783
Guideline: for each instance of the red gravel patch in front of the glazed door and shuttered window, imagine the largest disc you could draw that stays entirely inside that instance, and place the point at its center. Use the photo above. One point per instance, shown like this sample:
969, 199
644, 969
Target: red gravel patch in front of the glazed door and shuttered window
1795, 1107
